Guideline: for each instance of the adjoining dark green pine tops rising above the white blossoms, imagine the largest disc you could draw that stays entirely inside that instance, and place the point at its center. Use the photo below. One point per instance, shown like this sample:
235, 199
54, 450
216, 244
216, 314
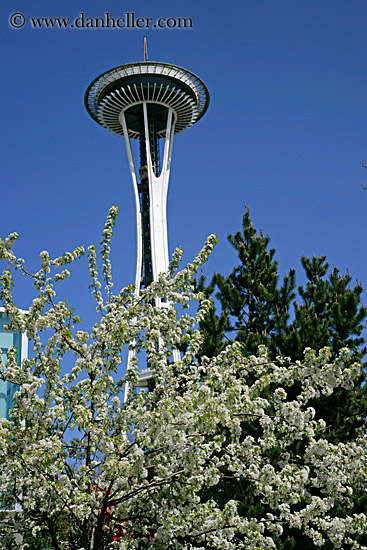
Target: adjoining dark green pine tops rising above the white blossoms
256, 309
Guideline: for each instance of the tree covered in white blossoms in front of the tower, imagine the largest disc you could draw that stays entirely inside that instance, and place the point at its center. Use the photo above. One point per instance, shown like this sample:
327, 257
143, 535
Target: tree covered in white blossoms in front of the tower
169, 468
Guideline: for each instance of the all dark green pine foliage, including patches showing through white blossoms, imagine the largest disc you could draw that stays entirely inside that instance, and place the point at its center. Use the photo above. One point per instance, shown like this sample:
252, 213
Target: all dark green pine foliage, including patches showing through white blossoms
256, 308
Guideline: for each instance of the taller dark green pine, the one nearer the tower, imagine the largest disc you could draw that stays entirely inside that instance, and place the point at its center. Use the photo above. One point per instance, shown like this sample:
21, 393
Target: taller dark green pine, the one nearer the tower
253, 308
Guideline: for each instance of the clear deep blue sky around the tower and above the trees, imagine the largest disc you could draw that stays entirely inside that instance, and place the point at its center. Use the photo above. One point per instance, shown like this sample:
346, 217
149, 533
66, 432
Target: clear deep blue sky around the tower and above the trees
285, 132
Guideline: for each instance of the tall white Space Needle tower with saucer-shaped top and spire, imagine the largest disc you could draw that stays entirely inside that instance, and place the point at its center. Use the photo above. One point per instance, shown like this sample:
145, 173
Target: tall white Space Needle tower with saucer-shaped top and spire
150, 102
